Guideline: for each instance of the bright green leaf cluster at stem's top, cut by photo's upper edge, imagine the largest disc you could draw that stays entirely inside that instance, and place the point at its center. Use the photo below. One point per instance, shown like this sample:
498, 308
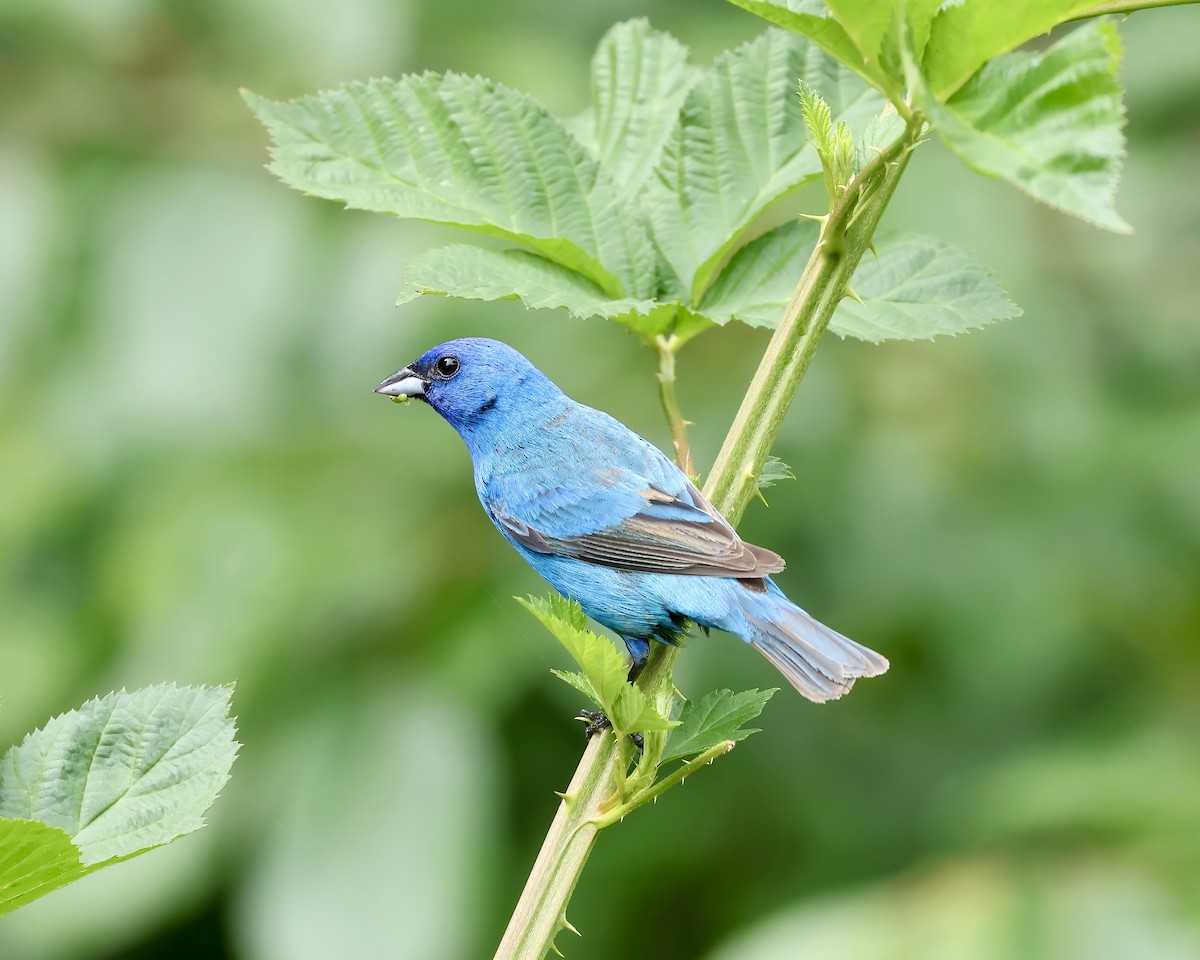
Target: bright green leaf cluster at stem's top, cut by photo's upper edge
1047, 123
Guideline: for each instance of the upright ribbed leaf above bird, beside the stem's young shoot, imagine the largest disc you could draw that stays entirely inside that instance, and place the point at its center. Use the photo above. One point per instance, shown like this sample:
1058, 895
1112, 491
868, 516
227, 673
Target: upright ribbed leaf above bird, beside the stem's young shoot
741, 146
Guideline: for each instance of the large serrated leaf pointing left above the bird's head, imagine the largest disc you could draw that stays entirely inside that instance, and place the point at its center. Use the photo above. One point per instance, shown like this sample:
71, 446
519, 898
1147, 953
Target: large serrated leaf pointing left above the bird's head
470, 153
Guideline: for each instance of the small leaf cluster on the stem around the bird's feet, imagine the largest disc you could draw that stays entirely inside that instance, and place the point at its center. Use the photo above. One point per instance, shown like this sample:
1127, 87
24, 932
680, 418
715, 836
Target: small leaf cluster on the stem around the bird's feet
703, 730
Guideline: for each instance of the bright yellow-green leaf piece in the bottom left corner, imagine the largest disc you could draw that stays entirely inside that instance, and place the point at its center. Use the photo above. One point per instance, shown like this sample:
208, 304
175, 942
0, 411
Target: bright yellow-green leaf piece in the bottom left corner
35, 860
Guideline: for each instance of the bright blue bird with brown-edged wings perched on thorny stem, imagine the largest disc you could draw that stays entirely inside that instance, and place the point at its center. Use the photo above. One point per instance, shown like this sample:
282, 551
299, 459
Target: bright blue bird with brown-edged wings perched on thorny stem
613, 524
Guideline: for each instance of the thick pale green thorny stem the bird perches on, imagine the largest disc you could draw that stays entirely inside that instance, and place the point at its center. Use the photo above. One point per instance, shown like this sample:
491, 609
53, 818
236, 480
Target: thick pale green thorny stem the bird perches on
847, 233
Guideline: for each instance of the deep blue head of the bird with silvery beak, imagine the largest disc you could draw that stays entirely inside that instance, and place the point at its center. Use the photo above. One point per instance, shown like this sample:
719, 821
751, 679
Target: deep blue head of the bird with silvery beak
471, 382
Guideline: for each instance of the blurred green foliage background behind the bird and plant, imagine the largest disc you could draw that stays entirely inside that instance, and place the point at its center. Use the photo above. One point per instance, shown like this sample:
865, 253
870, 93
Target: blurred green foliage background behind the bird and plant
197, 484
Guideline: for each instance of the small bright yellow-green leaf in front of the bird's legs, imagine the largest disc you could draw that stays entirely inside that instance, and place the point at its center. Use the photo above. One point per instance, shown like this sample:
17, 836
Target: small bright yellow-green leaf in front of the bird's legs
604, 669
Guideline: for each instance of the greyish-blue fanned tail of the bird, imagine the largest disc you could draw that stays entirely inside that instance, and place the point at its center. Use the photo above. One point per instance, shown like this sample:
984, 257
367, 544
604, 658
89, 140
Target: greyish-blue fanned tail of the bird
818, 662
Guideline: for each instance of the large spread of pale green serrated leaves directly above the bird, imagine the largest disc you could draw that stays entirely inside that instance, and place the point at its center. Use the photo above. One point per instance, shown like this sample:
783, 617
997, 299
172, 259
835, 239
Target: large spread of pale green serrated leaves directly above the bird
643, 211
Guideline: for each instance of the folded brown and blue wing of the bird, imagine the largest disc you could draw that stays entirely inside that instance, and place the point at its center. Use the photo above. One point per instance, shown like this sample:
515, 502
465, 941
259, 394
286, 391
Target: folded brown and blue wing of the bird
662, 533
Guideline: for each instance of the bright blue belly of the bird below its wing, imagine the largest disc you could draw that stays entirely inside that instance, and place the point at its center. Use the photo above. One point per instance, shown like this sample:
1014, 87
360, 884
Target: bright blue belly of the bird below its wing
634, 604
